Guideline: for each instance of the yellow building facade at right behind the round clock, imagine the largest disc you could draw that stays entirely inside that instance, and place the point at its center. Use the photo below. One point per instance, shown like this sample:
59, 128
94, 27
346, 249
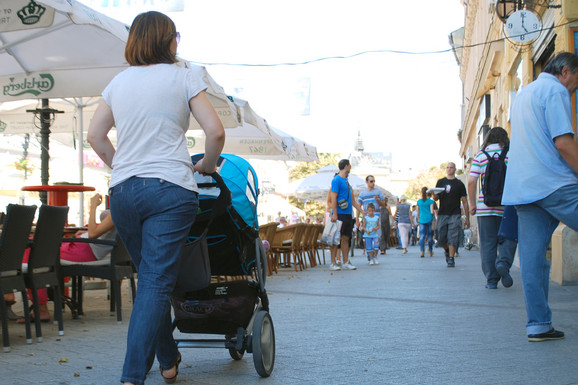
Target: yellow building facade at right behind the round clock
496, 63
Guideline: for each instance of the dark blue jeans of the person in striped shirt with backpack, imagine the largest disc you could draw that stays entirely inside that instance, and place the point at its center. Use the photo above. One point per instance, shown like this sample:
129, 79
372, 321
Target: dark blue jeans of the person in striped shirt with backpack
494, 250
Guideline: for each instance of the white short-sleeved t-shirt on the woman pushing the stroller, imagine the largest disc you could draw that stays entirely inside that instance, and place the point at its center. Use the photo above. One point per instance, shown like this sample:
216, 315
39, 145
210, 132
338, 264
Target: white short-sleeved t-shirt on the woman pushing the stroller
151, 114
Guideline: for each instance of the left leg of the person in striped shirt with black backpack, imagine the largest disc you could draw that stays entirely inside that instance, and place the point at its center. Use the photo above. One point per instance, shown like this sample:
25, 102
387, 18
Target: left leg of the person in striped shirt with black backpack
488, 226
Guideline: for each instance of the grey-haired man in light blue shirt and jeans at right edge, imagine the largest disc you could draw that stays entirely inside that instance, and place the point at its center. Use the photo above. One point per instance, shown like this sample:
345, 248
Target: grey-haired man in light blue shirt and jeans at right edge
542, 181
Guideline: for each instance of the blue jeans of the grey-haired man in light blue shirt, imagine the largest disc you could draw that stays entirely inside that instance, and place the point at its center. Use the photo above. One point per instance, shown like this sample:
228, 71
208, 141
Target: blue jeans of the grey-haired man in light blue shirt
536, 224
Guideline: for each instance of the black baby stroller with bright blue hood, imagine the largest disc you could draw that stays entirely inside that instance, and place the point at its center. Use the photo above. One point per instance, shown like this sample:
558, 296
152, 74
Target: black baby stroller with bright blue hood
234, 303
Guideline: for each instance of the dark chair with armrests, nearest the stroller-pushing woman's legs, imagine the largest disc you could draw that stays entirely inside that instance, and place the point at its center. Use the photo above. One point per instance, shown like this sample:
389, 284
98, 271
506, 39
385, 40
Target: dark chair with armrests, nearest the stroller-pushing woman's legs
115, 269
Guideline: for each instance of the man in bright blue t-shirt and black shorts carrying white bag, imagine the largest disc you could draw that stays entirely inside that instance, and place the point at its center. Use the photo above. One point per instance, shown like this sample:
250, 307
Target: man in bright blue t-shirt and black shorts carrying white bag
341, 202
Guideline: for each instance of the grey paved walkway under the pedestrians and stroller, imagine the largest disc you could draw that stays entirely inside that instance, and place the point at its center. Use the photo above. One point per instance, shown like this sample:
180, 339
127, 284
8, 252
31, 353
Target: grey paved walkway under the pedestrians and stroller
409, 320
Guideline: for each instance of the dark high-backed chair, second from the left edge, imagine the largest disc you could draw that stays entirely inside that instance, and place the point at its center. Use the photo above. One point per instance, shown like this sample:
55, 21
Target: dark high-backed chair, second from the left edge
43, 261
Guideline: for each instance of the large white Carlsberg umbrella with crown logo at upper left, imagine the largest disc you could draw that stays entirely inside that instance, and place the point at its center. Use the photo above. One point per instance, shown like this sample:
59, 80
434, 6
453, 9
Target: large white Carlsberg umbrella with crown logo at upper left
61, 49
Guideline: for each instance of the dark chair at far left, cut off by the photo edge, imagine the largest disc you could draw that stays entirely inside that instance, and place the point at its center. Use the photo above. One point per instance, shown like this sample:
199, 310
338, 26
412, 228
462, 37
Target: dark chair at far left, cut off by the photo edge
13, 243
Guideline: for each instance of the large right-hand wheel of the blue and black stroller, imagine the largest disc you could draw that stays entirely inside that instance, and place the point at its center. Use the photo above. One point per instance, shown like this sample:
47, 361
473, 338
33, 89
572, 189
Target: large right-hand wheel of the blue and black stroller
263, 344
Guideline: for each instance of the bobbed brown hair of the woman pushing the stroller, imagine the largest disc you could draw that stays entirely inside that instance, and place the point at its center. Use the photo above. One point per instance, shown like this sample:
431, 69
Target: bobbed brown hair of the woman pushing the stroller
149, 40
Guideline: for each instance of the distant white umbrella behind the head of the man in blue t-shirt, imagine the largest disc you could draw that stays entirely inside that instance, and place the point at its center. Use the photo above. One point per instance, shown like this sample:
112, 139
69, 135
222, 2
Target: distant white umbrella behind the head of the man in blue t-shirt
317, 186
